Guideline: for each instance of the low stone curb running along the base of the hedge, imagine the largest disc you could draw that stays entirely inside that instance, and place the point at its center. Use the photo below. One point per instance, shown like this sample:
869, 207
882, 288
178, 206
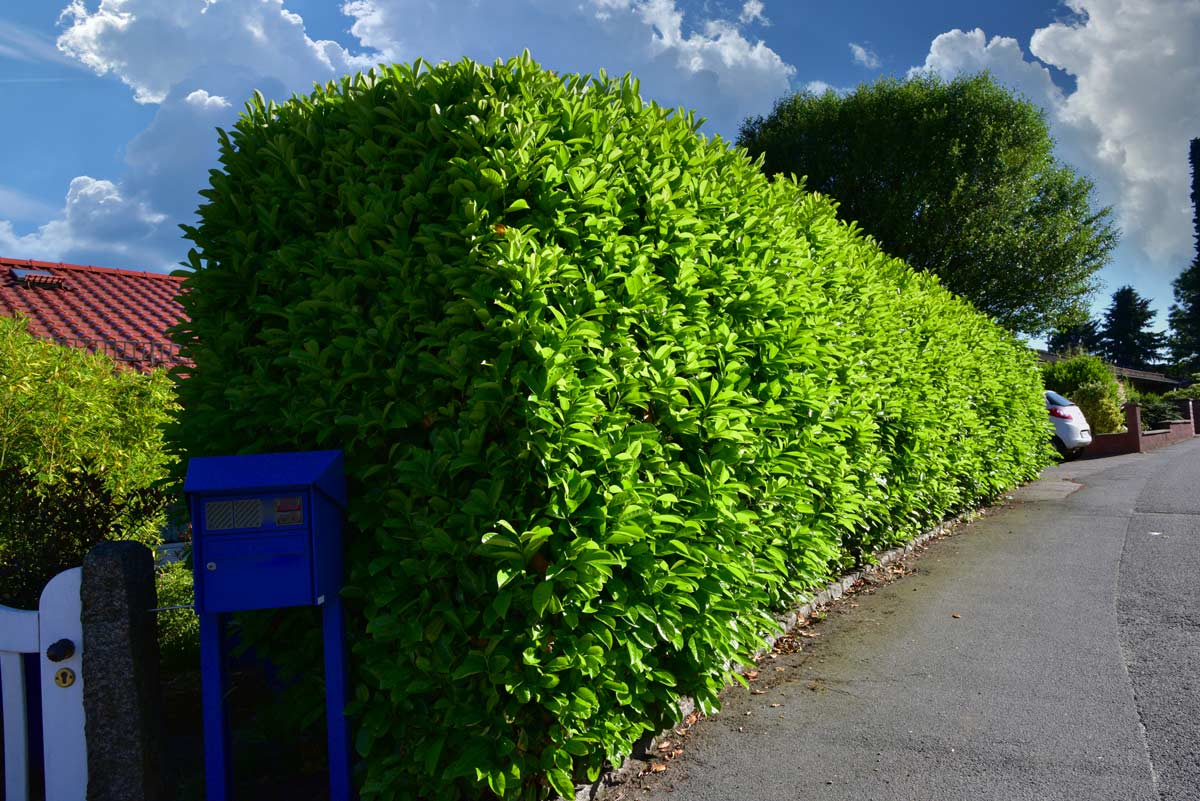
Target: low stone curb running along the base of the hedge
614, 779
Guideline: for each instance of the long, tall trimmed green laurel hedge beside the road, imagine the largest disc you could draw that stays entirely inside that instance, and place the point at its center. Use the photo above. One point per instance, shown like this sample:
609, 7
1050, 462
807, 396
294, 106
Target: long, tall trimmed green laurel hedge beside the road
608, 399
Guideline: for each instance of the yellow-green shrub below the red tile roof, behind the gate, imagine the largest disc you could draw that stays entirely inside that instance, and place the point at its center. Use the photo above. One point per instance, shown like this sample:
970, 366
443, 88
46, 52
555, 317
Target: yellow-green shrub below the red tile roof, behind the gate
81, 459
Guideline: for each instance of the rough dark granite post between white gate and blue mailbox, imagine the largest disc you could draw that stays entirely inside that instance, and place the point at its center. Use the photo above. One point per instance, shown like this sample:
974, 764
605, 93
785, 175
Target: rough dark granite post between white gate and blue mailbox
121, 674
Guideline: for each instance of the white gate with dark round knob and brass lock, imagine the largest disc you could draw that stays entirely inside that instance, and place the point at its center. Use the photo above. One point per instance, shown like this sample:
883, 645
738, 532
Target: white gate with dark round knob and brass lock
63, 742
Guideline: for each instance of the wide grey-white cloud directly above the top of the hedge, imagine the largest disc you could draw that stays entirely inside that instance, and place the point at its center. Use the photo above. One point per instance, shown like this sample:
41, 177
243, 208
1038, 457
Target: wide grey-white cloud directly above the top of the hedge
709, 64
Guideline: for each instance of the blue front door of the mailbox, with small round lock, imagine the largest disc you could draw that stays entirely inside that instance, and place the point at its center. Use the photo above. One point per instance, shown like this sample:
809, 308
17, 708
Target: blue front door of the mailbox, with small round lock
259, 571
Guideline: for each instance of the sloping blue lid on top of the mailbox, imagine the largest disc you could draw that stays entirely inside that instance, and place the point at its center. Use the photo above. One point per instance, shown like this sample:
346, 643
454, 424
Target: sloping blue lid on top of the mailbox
263, 473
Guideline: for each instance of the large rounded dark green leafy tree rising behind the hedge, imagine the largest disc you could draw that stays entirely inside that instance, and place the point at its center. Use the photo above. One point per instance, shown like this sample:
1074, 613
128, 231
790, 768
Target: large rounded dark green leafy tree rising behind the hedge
957, 179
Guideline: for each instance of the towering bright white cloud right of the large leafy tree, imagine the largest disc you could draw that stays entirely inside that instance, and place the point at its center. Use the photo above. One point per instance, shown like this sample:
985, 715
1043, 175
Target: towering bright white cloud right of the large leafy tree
1126, 124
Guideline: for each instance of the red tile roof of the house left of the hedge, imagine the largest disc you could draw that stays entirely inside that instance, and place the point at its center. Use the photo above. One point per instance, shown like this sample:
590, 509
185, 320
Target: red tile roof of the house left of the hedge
121, 312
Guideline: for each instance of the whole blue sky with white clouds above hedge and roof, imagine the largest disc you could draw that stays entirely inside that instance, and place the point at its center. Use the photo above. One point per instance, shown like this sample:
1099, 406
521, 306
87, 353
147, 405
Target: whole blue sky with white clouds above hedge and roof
112, 104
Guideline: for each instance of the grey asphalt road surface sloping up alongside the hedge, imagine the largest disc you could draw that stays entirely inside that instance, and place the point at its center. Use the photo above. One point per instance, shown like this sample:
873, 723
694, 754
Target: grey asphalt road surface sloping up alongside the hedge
1049, 651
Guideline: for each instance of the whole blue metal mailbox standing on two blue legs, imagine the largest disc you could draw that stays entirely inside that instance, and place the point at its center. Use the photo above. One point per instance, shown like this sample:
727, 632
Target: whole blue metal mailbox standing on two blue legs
267, 534
